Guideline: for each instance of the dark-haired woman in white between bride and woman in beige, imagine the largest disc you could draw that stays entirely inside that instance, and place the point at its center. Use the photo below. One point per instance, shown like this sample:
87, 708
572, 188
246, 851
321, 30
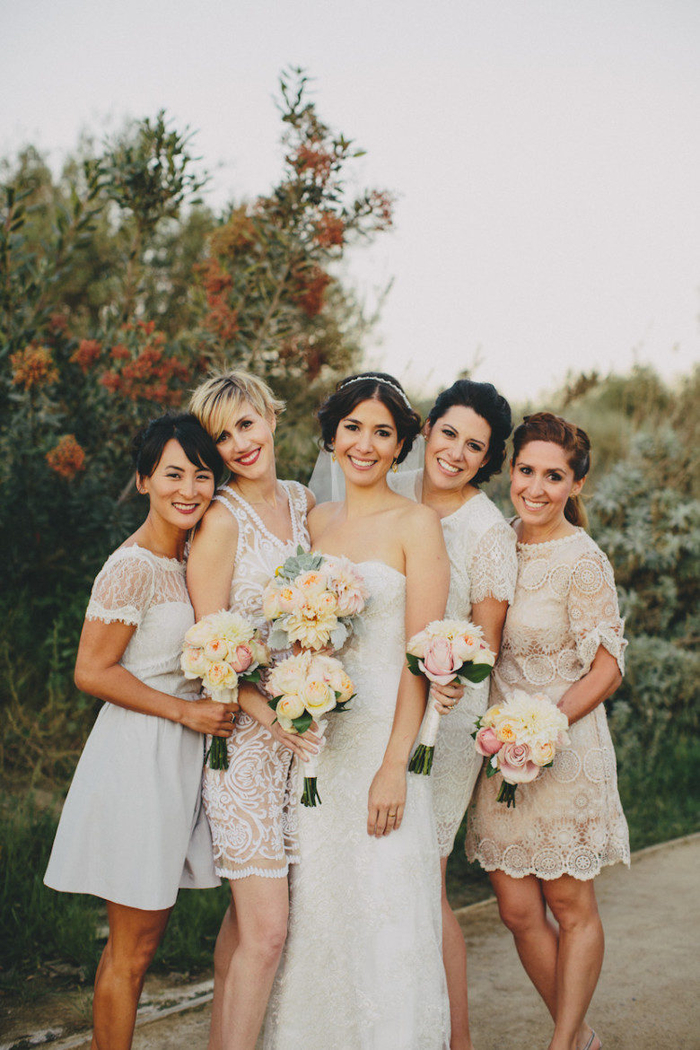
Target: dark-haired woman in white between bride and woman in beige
466, 434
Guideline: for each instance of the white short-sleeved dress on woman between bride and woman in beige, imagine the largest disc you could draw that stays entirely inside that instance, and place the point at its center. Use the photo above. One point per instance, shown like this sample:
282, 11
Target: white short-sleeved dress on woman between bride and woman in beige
481, 547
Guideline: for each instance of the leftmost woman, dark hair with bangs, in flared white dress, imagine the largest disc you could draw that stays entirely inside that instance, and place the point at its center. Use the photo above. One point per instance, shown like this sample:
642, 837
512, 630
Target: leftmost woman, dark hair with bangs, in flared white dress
133, 830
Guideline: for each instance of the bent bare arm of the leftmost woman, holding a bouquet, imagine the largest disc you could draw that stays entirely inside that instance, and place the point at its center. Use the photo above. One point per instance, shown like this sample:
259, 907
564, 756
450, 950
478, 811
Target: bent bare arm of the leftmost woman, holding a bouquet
99, 673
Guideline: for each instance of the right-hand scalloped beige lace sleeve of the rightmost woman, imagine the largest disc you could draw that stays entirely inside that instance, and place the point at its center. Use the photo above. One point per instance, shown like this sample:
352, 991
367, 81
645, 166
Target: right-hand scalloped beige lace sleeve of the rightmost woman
595, 613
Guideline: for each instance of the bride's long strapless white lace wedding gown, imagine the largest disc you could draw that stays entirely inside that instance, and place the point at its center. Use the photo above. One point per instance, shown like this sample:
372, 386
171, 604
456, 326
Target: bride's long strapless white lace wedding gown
363, 968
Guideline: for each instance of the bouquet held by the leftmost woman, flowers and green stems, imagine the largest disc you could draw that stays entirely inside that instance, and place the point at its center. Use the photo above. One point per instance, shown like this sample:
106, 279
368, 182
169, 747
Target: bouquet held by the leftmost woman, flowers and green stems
221, 649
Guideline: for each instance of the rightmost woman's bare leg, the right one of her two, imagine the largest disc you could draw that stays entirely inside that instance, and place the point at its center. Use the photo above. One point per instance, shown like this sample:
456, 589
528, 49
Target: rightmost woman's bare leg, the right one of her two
580, 957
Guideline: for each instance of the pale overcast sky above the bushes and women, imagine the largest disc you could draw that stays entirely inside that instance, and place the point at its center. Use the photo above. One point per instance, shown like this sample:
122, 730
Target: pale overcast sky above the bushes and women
546, 155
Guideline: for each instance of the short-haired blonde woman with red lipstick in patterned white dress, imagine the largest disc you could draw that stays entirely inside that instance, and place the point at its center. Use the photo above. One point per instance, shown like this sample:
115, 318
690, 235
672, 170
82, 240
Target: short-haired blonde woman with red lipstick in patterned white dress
254, 523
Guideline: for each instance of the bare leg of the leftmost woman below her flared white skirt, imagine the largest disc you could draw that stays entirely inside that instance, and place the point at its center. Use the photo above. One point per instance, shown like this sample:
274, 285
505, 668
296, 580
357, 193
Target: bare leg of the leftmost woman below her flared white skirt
135, 936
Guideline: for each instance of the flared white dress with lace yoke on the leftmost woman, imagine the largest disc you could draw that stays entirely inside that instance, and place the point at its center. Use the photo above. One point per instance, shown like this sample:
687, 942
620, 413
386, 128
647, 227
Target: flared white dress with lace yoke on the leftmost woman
133, 829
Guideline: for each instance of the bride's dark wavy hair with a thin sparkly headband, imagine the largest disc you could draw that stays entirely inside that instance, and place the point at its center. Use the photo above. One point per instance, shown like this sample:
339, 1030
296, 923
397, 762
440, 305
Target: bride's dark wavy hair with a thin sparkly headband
370, 387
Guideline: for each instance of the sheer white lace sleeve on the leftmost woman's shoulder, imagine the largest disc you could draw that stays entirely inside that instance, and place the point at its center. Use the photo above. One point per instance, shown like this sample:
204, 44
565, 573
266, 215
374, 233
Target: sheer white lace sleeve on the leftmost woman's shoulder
123, 590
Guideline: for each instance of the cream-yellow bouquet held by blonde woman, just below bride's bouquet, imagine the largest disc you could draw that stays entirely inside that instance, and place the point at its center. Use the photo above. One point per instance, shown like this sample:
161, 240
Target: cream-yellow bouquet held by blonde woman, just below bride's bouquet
304, 689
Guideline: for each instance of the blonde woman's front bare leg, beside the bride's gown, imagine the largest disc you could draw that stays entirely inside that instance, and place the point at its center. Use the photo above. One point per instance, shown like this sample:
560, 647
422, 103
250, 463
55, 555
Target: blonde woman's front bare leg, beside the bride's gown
262, 908
